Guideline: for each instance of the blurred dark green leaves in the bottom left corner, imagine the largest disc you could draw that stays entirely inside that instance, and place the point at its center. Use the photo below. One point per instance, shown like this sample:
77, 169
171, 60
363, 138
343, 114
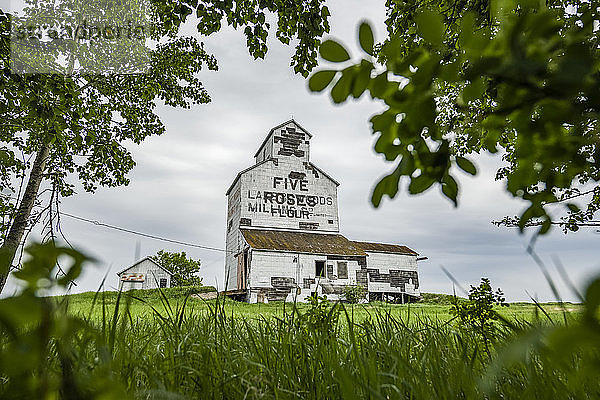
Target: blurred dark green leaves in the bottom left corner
47, 353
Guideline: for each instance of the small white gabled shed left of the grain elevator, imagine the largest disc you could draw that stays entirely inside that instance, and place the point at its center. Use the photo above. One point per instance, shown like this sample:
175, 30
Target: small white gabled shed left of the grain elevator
144, 274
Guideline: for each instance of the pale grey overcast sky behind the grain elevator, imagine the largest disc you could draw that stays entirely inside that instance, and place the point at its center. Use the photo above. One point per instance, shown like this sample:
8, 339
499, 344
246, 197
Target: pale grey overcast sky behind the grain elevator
178, 187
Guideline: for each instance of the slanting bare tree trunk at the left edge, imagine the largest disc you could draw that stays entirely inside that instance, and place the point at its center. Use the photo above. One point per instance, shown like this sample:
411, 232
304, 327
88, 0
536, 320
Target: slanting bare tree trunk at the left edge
17, 229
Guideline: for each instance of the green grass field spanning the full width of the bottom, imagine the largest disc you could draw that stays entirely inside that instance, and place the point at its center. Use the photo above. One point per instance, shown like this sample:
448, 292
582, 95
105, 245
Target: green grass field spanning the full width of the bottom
165, 345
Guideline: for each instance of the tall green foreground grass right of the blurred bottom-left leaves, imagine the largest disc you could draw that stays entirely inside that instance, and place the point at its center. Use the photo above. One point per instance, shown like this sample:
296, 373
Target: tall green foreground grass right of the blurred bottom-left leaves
321, 352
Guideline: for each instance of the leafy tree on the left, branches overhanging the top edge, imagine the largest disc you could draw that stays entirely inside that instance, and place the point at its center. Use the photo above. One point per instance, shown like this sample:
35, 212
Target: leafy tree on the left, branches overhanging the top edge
68, 125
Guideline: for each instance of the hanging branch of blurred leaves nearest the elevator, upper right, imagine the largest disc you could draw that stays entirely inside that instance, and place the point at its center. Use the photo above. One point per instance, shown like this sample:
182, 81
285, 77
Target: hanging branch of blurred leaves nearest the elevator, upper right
407, 128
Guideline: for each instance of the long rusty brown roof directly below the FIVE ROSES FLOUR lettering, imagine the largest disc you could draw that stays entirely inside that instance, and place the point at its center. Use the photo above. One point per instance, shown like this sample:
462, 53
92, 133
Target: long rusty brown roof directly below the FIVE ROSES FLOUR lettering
301, 242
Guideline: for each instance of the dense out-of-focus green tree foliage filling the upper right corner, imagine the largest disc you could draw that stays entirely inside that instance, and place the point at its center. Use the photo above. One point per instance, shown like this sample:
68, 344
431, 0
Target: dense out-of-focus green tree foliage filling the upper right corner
463, 77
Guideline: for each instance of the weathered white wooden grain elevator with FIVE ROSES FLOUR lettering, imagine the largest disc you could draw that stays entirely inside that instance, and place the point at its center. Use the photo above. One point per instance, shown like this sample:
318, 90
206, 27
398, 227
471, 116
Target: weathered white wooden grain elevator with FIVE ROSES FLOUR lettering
283, 240
